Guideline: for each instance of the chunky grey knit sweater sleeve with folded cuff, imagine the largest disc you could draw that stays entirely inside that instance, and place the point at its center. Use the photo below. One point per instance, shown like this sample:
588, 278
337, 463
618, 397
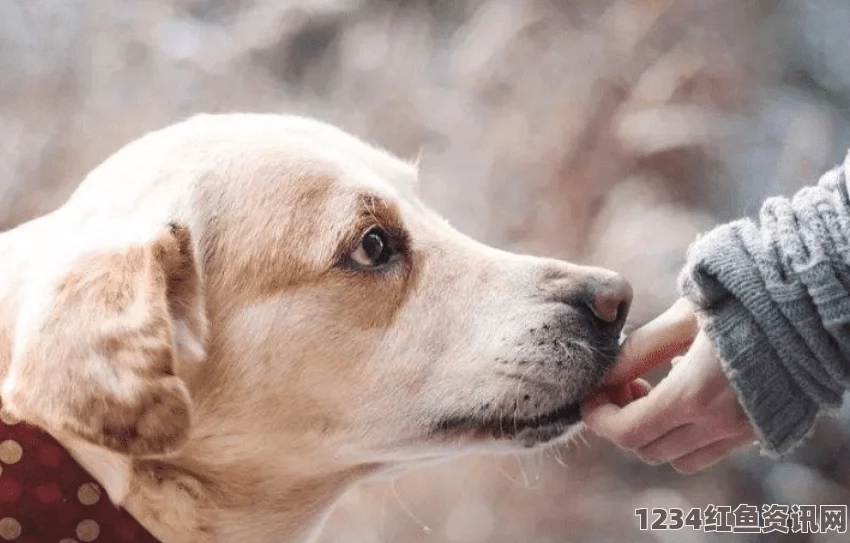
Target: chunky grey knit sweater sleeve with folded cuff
774, 298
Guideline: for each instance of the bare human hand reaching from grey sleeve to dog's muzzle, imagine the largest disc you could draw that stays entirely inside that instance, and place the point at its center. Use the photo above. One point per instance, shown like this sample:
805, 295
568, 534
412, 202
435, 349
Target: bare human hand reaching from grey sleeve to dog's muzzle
691, 419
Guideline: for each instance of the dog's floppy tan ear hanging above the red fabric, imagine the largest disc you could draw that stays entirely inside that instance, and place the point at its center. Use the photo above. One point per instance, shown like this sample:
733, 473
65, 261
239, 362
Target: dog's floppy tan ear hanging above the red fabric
95, 351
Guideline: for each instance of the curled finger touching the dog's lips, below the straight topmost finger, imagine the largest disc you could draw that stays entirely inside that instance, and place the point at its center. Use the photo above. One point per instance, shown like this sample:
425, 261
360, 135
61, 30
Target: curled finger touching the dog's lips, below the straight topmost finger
635, 425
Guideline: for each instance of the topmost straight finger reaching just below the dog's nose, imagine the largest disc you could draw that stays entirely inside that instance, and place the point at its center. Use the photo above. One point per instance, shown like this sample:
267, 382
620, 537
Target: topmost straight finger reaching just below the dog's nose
656, 342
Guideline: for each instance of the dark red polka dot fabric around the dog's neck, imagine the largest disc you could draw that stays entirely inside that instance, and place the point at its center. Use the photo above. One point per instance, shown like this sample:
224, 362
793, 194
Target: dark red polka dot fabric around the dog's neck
46, 497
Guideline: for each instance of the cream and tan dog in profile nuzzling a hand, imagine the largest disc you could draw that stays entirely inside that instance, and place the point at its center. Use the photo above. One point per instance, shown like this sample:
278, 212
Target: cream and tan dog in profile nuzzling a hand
235, 318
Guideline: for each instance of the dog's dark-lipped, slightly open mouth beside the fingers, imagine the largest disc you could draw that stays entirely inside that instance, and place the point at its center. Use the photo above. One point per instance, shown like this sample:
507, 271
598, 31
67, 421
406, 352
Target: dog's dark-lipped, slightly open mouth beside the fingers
525, 431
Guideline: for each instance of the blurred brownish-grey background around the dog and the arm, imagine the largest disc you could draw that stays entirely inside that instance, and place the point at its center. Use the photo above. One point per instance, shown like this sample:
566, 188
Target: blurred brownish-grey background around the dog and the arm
603, 131
